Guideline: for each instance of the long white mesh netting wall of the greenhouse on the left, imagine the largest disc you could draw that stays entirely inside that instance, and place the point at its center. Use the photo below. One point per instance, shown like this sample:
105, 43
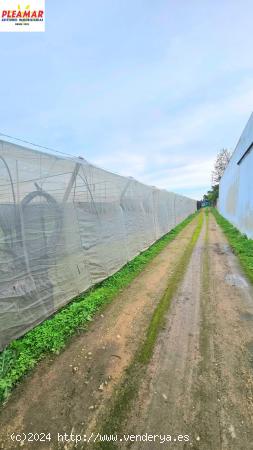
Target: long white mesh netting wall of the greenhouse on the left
65, 225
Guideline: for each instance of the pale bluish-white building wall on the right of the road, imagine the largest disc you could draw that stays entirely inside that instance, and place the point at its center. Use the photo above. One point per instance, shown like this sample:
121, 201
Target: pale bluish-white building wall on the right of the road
236, 186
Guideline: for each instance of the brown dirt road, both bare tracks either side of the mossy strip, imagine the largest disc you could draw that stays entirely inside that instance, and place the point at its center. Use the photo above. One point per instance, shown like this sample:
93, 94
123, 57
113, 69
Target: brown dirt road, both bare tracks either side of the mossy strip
199, 382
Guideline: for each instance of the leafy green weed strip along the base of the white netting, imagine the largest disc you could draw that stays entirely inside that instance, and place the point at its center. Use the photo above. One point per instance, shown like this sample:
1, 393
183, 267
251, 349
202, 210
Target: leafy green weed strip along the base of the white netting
53, 334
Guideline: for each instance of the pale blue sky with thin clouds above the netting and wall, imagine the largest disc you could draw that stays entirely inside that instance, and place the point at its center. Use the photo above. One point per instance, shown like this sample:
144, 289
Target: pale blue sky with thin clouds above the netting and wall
149, 89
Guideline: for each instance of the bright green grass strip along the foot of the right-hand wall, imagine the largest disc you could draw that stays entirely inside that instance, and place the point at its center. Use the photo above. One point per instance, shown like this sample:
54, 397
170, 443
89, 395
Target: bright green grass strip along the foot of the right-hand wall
240, 244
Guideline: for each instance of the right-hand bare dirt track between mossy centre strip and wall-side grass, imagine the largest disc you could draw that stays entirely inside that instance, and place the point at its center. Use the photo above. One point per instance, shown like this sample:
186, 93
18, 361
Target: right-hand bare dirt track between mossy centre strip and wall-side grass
200, 380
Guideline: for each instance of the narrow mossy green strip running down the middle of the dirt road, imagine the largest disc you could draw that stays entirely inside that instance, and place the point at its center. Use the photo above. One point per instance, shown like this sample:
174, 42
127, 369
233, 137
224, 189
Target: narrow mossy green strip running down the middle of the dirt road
115, 418
